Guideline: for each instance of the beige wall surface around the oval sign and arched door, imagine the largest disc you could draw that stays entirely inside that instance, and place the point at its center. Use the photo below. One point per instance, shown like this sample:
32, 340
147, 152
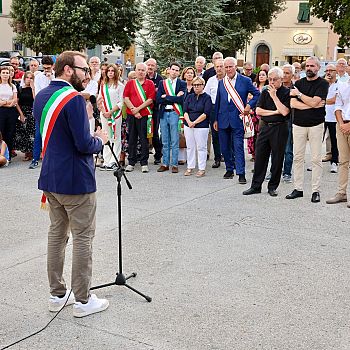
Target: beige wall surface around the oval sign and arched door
280, 37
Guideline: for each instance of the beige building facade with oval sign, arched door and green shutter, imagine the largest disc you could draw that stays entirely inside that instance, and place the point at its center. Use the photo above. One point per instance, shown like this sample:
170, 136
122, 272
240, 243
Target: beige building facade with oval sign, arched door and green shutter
294, 35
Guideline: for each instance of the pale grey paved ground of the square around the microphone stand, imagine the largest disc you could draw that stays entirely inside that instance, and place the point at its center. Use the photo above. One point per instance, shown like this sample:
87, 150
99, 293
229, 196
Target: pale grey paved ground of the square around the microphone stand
225, 271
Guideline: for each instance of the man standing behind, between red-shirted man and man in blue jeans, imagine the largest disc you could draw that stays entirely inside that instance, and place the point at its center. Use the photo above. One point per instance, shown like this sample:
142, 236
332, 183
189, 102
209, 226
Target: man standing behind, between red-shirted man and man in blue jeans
152, 74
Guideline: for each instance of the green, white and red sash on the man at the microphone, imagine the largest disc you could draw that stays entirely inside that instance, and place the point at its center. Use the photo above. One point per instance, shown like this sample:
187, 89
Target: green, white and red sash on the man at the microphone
49, 115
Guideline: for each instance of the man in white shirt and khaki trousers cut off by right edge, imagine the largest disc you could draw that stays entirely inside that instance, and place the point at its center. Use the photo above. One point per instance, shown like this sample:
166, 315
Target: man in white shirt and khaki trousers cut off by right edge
342, 114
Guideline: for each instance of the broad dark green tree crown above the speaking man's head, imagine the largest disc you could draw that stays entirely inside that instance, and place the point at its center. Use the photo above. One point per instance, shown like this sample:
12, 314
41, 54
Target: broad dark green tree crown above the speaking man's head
52, 26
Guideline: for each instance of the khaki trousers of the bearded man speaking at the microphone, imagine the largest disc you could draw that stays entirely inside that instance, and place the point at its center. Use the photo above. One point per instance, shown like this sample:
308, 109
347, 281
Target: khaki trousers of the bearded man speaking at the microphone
77, 214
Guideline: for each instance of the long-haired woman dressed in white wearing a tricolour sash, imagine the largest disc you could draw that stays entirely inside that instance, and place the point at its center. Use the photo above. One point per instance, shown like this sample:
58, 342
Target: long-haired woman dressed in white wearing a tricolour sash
110, 102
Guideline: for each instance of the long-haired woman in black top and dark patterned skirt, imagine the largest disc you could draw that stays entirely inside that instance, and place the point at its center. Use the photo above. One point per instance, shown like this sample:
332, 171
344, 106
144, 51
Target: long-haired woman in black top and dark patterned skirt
26, 128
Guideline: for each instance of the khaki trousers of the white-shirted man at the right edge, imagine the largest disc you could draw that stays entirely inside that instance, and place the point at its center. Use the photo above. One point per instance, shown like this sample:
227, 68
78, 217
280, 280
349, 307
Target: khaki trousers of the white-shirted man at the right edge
343, 142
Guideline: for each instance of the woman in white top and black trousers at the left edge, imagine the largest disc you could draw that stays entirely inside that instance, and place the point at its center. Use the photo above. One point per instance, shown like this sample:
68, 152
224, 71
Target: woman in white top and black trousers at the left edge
8, 102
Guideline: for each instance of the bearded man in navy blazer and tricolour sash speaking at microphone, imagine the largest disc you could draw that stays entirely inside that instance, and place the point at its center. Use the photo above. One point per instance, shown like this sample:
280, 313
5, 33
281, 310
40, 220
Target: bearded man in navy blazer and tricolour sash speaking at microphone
67, 179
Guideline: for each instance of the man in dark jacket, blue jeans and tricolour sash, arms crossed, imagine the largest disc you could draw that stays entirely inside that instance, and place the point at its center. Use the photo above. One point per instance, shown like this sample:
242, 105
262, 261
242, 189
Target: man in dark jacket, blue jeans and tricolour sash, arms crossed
170, 98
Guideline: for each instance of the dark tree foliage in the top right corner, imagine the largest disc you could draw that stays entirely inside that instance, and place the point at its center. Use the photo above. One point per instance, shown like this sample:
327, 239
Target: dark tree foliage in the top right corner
337, 12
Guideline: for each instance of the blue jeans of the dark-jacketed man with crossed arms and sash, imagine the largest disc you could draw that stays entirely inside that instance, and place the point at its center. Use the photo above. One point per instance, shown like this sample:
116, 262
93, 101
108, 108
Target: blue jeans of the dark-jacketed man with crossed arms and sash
169, 122
